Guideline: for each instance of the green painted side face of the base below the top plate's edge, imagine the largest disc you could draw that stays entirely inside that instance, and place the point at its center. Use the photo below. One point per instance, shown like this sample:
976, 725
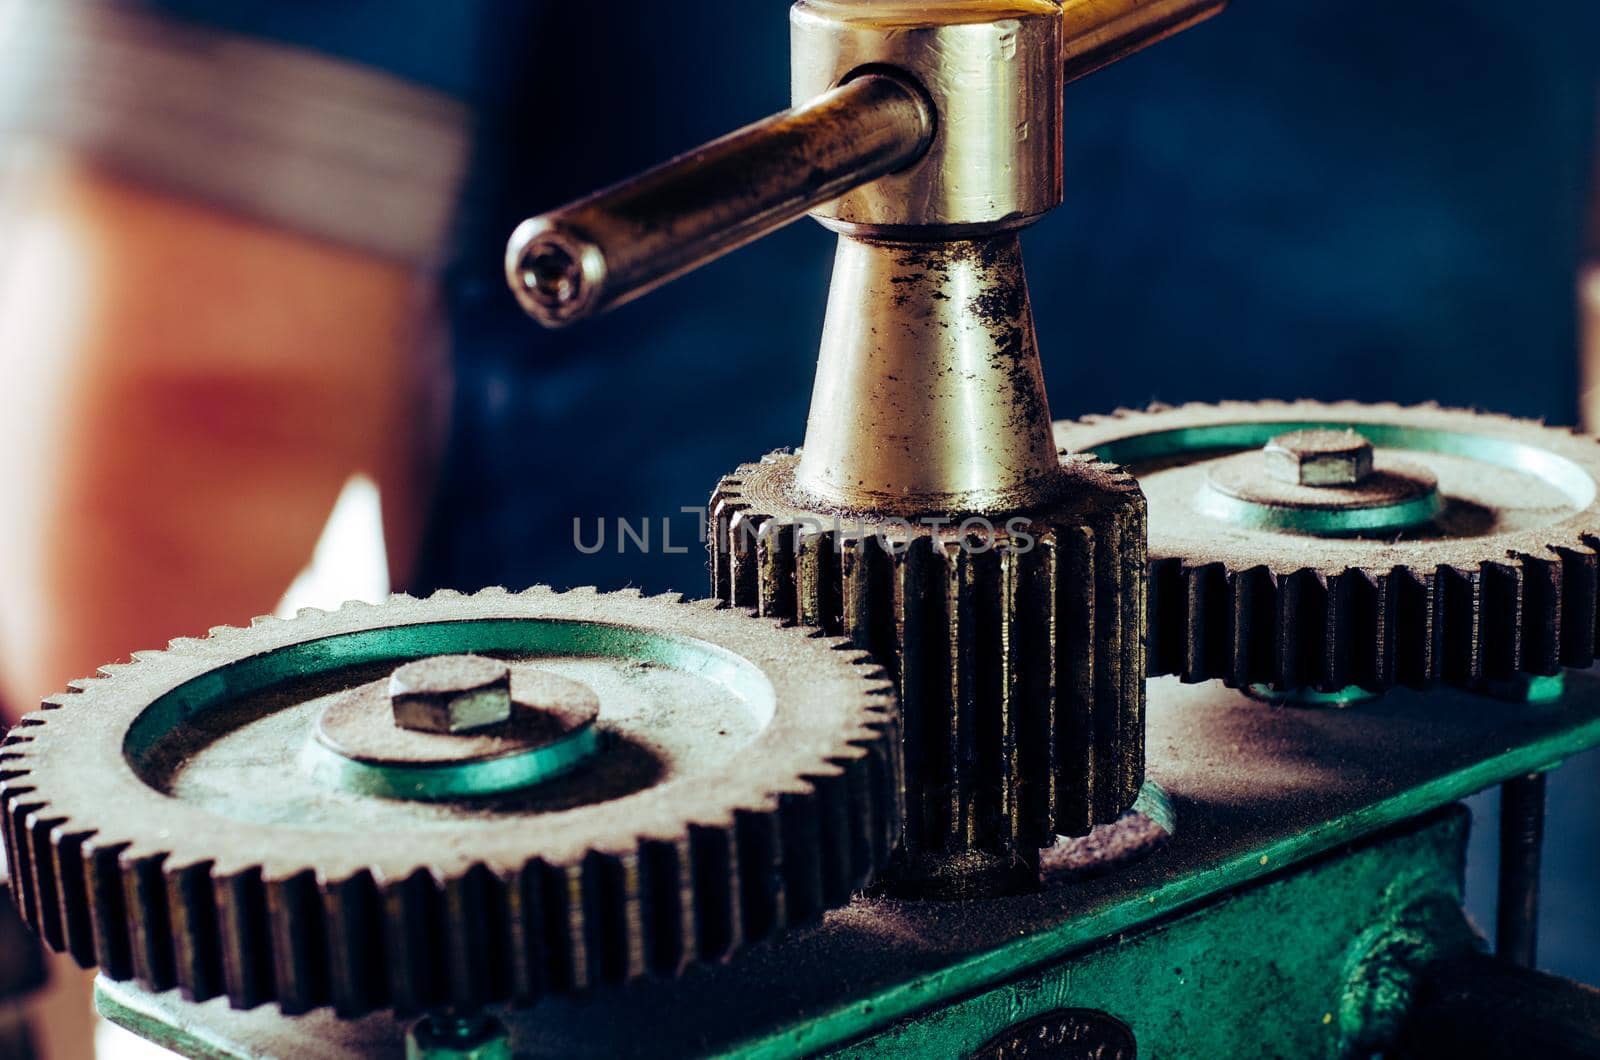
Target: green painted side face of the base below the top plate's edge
1284, 949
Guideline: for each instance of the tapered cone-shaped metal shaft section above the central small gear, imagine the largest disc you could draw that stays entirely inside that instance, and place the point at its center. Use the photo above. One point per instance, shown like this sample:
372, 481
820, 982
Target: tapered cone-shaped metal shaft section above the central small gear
929, 395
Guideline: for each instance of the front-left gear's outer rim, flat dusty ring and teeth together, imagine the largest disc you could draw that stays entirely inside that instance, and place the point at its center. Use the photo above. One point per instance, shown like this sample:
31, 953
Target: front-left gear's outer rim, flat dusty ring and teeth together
223, 917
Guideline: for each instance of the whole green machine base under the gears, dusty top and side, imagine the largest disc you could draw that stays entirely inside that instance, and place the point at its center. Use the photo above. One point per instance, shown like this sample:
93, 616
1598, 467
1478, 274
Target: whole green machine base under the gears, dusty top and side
1308, 856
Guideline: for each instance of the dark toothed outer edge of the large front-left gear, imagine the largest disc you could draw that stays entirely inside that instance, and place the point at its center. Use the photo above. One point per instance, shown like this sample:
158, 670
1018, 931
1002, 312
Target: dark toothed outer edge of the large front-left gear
473, 938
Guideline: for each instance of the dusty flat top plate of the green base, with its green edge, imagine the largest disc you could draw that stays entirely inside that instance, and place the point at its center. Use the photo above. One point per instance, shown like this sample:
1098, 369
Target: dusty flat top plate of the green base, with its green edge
1255, 797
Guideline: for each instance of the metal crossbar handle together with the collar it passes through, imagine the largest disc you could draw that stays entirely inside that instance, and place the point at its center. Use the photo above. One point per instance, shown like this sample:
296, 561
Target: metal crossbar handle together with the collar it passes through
618, 244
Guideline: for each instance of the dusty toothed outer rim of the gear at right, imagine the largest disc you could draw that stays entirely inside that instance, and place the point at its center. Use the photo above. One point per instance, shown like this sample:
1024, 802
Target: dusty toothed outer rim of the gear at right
1255, 608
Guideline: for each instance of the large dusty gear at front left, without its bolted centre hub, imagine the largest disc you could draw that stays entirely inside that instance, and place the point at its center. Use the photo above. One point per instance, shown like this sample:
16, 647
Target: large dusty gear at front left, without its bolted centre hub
164, 824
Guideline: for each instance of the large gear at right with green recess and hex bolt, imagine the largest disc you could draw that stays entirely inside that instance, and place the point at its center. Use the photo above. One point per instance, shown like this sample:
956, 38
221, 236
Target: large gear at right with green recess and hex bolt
1466, 555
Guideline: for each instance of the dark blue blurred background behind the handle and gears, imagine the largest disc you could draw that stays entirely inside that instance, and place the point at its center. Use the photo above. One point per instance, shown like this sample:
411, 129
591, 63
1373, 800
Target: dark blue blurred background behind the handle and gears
1305, 198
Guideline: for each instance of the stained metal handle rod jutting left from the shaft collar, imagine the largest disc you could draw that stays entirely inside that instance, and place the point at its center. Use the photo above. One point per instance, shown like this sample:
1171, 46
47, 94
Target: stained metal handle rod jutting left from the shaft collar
633, 238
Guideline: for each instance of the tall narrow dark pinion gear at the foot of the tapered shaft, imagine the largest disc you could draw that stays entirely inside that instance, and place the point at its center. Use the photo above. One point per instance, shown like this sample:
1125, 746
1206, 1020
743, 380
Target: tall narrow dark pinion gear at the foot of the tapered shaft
1017, 646
